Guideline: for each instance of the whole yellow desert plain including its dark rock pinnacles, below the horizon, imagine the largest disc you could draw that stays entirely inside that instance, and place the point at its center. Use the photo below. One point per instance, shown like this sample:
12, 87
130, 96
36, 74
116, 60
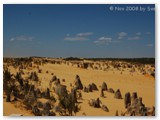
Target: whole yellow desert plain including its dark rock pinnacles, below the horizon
119, 76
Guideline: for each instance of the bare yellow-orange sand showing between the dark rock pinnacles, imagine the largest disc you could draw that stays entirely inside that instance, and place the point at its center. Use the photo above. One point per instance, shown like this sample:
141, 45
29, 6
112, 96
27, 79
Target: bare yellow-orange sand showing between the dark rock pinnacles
144, 85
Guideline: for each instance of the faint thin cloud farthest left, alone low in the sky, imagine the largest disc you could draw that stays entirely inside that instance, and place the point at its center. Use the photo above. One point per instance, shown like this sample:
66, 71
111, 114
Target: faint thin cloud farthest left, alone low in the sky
21, 38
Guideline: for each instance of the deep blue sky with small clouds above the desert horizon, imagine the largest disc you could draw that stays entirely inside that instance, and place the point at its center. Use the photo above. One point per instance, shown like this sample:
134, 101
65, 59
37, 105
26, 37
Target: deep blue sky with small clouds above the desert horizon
78, 31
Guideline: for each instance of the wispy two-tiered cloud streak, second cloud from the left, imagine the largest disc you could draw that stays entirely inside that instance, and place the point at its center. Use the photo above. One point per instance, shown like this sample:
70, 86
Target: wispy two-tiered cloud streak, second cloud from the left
78, 37
